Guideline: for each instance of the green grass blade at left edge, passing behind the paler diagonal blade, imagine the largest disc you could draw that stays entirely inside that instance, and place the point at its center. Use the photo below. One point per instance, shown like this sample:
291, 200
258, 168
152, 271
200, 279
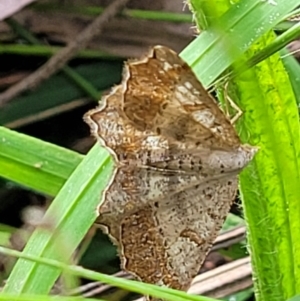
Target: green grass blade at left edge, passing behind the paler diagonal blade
35, 164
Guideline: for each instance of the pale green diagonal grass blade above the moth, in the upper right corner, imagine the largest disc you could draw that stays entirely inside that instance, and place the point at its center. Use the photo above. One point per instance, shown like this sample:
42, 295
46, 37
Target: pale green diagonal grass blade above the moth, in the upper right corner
237, 29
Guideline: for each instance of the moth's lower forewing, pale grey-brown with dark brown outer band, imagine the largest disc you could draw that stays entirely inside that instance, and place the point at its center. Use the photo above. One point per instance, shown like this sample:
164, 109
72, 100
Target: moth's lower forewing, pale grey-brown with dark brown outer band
172, 237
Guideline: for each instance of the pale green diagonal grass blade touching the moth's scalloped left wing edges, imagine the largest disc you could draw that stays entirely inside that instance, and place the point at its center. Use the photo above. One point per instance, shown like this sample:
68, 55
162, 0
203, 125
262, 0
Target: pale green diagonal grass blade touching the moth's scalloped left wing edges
66, 222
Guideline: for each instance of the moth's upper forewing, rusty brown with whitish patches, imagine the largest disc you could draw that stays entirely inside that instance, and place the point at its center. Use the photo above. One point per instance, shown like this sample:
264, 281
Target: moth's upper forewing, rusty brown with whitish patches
161, 93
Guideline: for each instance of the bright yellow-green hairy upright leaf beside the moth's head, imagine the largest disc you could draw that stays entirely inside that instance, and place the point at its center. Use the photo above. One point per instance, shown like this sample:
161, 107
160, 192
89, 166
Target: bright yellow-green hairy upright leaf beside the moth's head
270, 186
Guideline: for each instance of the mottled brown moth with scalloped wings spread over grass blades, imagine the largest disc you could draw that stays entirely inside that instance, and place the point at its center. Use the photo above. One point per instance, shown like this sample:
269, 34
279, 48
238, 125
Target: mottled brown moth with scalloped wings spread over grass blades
177, 158
